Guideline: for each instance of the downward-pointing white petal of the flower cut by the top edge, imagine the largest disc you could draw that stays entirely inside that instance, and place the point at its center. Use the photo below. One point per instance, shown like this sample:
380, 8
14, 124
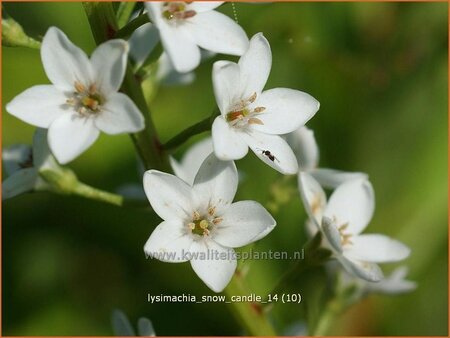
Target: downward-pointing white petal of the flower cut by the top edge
179, 46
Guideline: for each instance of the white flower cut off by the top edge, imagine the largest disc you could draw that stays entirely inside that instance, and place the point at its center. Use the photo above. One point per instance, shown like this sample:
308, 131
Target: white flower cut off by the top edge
186, 26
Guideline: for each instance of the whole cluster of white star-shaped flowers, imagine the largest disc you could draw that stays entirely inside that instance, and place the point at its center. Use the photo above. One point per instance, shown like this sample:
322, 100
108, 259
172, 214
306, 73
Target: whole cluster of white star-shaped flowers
196, 204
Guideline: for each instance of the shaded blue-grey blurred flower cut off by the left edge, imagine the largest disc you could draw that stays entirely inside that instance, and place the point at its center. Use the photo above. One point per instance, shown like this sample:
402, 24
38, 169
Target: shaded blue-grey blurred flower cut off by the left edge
22, 164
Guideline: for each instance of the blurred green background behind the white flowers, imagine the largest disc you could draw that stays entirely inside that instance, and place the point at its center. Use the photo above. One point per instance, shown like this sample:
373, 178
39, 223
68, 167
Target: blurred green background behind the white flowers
380, 73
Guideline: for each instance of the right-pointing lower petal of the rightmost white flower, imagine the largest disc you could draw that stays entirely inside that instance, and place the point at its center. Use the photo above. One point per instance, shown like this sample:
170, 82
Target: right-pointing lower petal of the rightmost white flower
377, 249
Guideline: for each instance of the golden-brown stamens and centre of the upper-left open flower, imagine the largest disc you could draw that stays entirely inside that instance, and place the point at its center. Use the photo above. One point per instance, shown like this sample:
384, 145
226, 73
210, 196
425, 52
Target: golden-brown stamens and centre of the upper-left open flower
86, 100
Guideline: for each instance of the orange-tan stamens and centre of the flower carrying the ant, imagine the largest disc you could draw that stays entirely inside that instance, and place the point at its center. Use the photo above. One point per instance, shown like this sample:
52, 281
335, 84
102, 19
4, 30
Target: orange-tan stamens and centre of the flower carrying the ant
242, 115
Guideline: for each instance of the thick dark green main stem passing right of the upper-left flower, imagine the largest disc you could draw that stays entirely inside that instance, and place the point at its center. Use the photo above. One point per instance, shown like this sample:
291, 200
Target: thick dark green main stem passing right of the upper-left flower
102, 20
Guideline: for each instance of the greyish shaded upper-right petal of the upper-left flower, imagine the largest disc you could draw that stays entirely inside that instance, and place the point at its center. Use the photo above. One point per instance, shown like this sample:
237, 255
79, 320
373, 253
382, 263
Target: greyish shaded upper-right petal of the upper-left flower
109, 62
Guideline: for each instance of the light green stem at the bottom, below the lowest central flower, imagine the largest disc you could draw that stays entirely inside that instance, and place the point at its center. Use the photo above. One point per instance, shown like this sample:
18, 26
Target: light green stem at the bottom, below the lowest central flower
251, 315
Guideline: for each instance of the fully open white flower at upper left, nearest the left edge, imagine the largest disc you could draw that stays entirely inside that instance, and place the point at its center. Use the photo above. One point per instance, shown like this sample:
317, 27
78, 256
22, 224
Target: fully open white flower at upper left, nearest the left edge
83, 99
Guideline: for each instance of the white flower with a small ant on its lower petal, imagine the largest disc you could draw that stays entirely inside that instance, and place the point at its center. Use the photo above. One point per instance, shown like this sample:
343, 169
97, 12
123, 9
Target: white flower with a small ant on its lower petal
253, 118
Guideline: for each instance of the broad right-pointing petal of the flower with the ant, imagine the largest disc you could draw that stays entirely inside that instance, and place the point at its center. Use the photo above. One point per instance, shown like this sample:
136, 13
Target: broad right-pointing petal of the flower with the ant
286, 110
